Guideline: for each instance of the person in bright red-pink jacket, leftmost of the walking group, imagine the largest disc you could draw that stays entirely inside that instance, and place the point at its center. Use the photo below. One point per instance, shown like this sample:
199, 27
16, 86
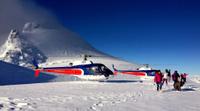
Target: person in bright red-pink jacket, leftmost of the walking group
158, 80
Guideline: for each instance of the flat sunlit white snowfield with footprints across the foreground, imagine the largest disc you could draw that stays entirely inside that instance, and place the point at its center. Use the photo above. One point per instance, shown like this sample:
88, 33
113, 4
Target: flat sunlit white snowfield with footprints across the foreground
112, 95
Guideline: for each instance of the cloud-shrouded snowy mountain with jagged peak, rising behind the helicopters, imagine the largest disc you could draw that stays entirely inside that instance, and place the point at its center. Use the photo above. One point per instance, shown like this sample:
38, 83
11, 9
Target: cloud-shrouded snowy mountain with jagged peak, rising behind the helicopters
38, 35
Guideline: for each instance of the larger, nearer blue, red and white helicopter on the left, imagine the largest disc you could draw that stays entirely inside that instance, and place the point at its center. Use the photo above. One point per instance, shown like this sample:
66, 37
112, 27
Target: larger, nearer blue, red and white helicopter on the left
86, 70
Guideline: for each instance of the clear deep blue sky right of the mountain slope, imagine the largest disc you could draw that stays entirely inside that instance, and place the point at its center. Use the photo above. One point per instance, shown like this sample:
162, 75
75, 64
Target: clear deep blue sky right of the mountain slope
162, 33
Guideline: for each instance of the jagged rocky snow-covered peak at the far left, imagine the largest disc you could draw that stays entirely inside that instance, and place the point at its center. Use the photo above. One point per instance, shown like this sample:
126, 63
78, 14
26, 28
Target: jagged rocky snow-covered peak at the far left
19, 51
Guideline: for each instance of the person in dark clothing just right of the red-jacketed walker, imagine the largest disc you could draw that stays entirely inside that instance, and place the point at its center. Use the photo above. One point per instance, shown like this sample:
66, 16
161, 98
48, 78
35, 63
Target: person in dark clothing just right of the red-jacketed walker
176, 79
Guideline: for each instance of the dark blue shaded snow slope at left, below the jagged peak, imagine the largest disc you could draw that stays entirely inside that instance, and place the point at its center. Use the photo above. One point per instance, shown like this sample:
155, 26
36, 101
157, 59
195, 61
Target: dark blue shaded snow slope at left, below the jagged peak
12, 74
